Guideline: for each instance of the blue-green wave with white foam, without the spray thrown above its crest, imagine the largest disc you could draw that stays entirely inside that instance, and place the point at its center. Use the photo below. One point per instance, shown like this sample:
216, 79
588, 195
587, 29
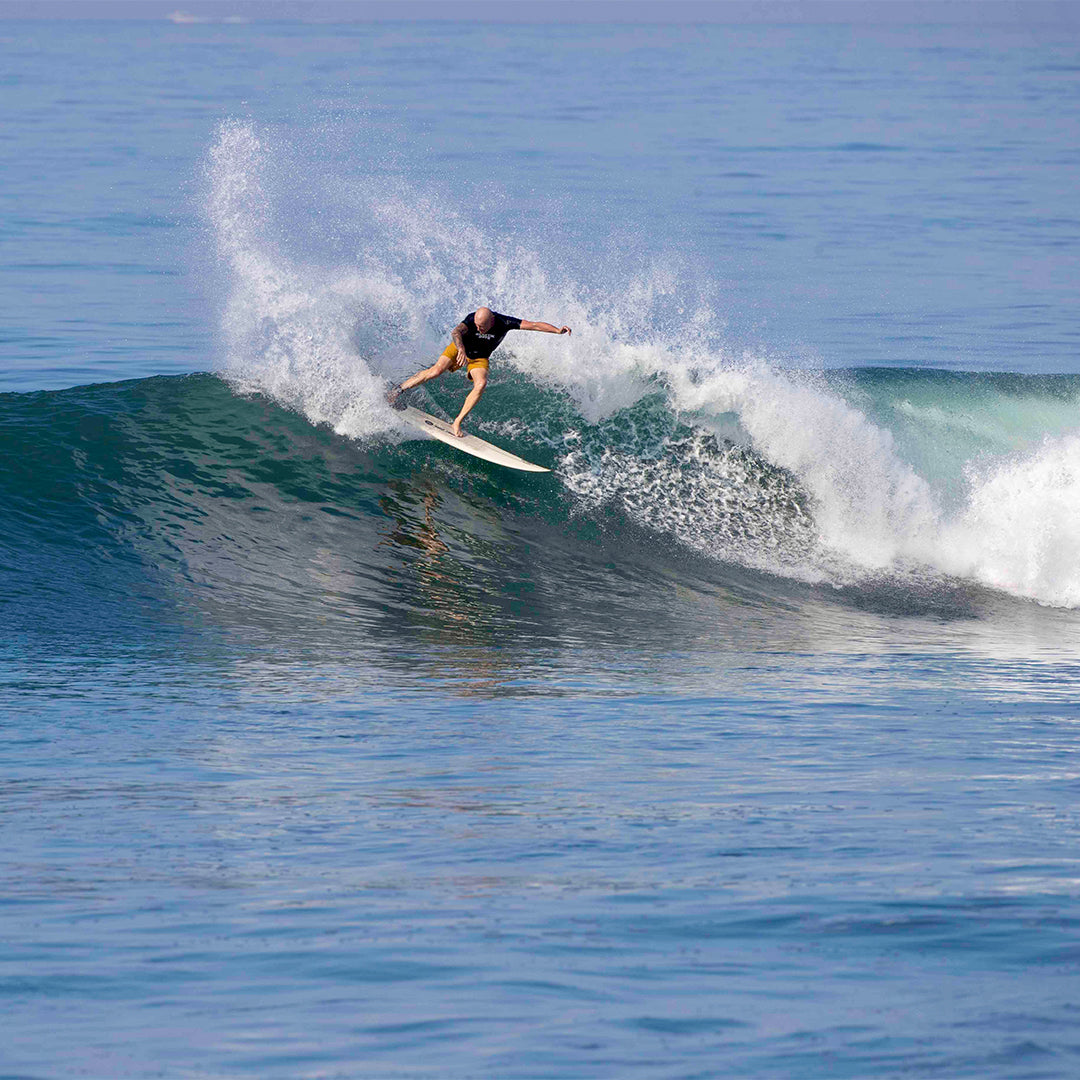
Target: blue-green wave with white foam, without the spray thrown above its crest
182, 503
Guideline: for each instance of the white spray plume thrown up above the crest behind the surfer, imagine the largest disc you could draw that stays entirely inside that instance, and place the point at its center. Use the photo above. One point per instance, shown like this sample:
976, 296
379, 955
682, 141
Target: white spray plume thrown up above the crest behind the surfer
323, 341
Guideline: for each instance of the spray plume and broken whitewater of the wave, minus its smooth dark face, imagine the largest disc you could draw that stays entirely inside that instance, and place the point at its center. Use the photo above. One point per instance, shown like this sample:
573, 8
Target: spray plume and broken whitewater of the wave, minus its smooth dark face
828, 479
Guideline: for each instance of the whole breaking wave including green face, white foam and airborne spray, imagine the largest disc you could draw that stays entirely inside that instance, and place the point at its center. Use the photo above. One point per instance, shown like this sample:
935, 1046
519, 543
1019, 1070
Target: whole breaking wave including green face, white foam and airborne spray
281, 495
